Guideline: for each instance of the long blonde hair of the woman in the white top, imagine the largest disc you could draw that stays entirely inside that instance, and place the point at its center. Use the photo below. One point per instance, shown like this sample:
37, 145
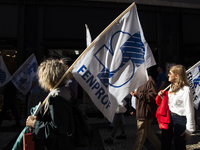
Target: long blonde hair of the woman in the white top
182, 80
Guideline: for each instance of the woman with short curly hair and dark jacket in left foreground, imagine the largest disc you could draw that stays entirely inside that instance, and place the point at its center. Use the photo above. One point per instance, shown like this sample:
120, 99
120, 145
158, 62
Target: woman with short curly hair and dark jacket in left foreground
55, 119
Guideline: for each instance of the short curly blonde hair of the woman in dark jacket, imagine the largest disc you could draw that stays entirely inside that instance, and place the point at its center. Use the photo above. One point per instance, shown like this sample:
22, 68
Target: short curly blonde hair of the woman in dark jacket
50, 72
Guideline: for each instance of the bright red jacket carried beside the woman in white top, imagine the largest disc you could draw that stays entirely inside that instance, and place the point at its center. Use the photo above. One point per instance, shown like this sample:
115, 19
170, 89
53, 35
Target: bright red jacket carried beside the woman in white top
162, 113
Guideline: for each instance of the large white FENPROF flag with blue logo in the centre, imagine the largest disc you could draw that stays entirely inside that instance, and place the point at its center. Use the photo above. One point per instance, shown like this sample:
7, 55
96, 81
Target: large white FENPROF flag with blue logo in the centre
115, 63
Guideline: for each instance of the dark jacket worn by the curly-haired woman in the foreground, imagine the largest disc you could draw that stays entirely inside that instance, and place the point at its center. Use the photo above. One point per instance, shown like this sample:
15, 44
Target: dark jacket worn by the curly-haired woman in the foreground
54, 121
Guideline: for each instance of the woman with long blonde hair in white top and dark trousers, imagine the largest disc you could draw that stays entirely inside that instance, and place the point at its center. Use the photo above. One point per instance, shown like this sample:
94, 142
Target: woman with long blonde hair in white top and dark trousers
180, 102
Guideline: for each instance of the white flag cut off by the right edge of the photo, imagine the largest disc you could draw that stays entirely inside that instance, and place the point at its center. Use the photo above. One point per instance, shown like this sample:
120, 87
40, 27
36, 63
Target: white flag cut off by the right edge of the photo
193, 76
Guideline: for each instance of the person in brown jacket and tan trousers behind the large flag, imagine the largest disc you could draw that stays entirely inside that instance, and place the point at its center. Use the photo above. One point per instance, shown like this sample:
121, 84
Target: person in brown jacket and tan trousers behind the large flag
145, 113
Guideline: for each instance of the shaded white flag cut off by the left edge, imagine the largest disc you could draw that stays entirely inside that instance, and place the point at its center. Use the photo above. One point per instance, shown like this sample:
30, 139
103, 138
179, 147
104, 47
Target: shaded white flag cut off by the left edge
4, 73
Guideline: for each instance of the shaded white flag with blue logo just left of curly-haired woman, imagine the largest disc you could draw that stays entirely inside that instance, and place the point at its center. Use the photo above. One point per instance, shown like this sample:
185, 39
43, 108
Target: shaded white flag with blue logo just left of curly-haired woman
23, 77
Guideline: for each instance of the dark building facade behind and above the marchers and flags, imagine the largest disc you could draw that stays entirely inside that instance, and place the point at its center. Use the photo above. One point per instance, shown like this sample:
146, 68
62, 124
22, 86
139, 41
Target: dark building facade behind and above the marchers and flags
57, 28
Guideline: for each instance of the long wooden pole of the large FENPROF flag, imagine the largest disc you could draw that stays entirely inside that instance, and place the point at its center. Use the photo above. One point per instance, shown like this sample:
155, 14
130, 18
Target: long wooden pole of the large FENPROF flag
70, 68
